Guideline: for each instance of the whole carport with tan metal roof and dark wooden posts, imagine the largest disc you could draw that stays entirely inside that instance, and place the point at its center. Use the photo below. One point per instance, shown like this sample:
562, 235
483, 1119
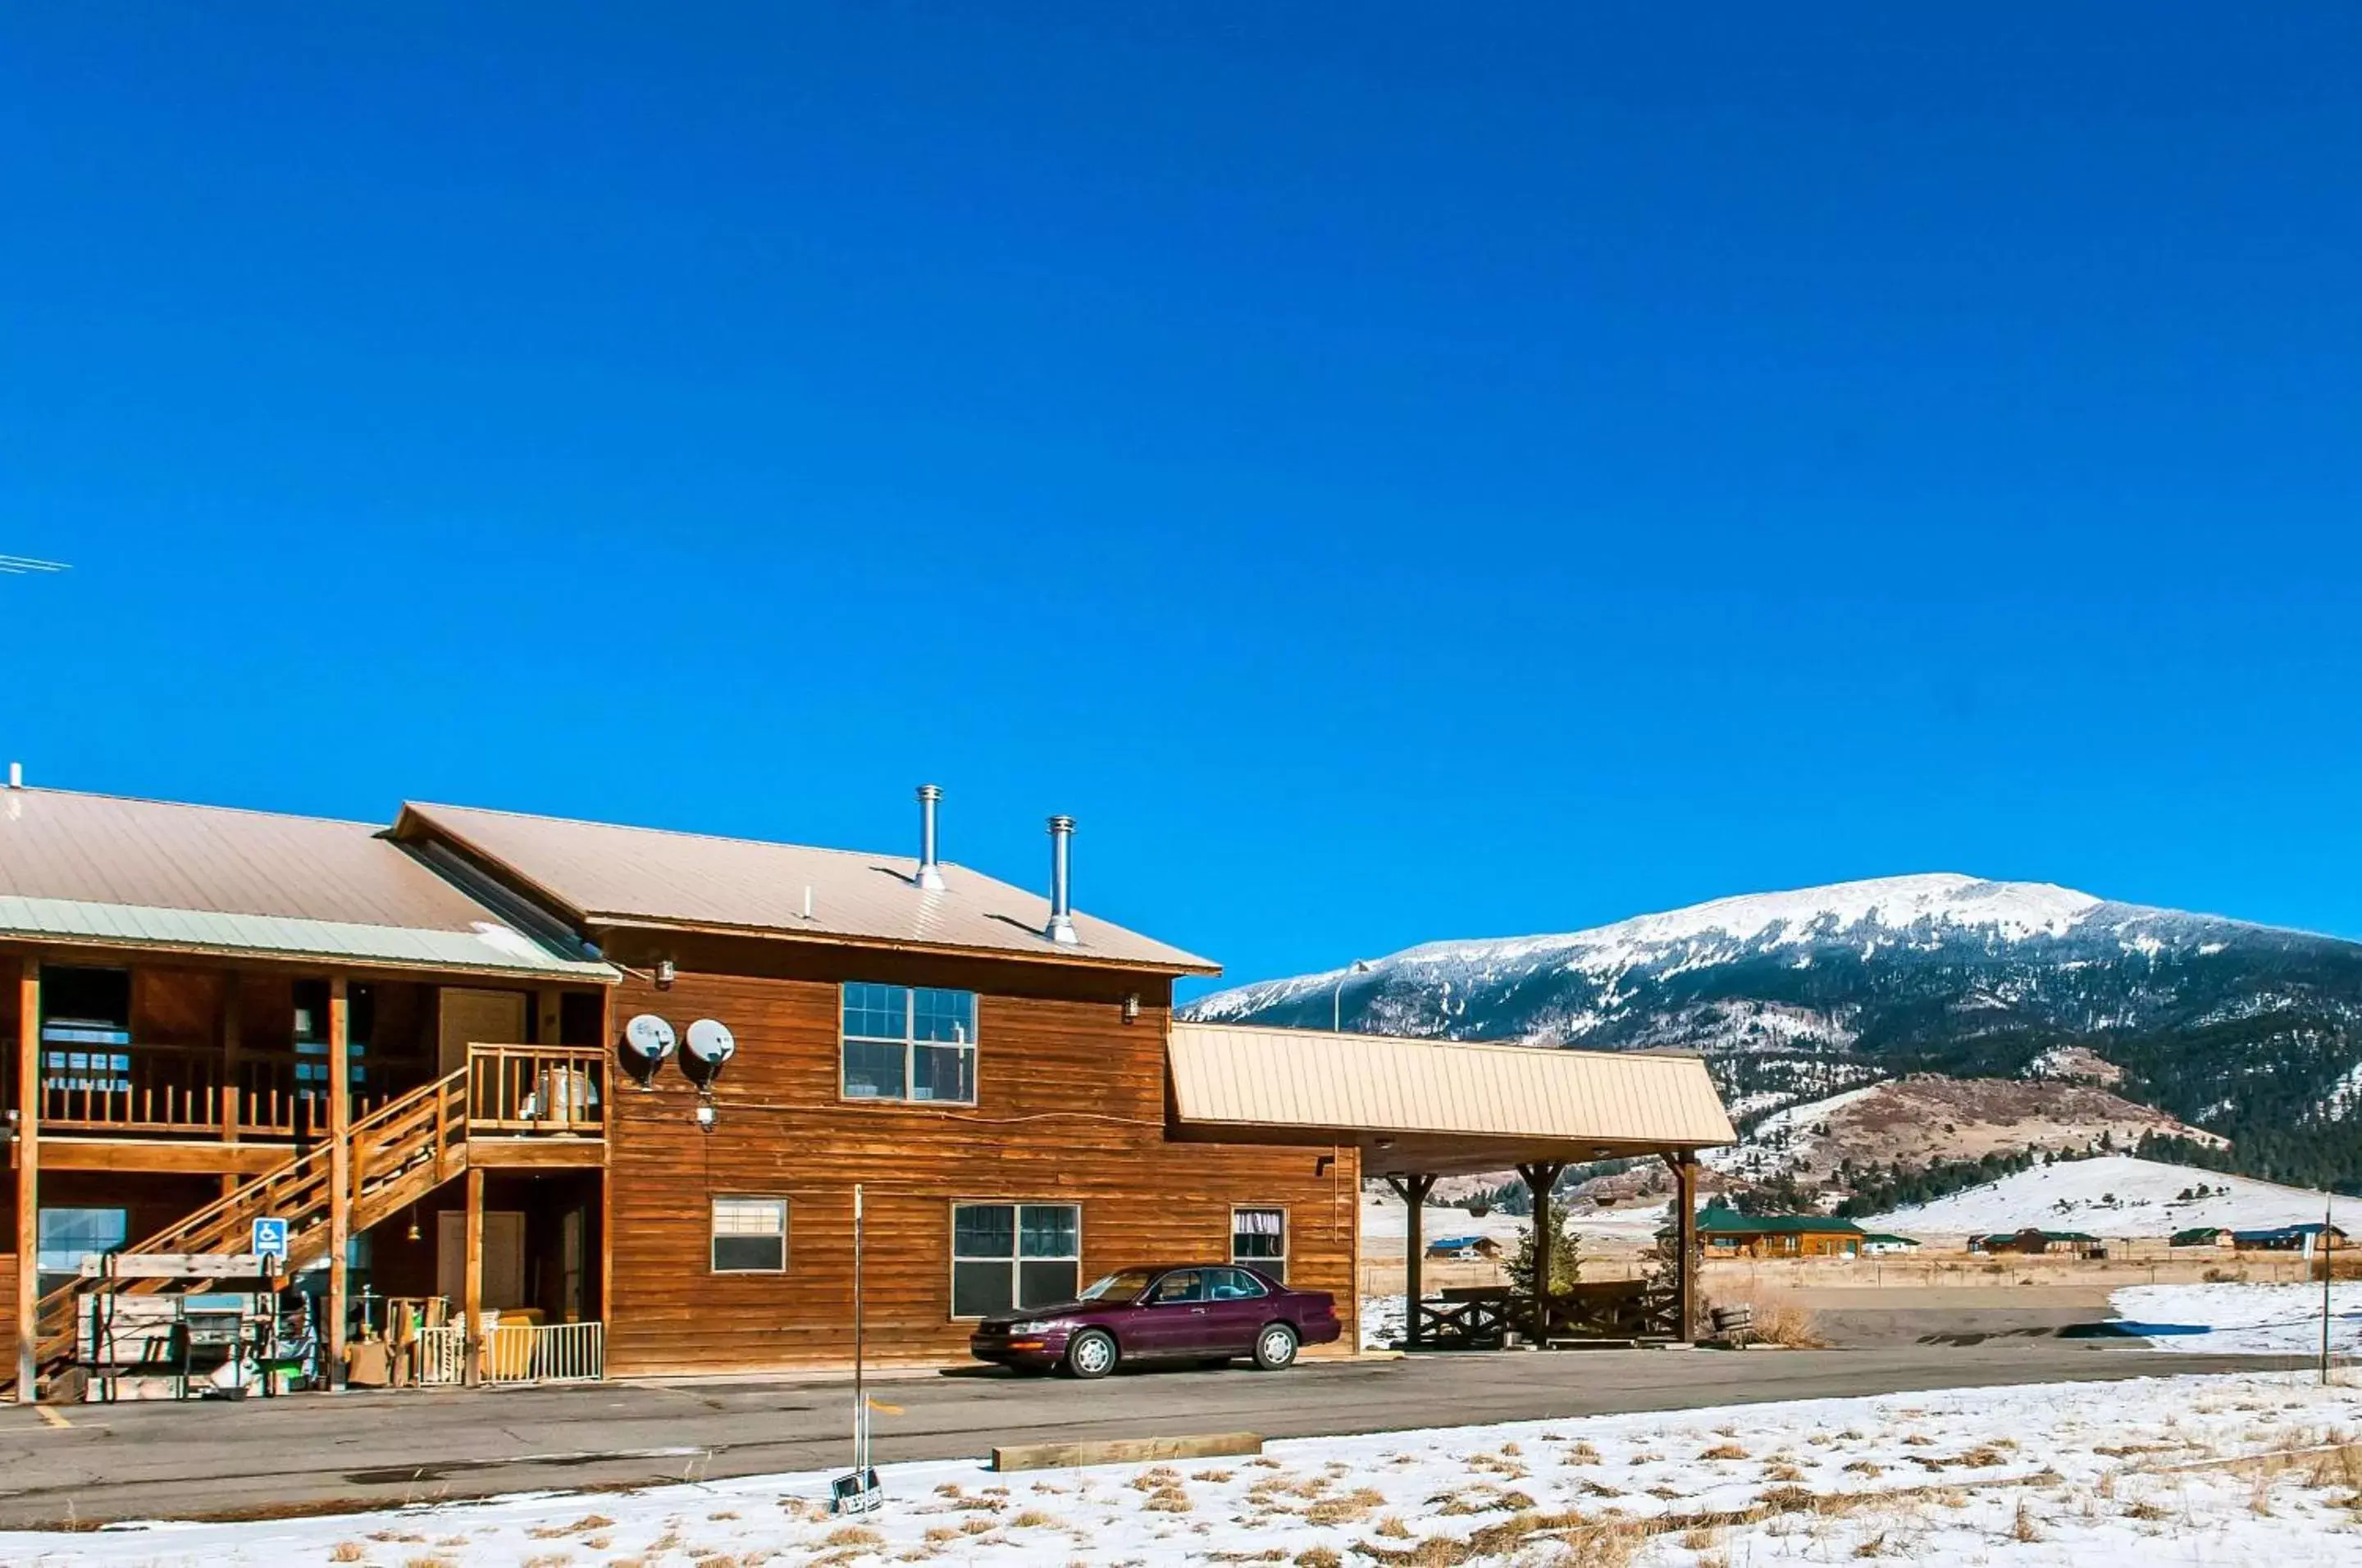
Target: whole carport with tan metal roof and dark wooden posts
1428, 1109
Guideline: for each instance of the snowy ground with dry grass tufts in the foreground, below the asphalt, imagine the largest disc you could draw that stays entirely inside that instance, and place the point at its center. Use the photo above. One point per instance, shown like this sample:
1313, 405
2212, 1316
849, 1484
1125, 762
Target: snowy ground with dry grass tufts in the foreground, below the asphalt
2198, 1470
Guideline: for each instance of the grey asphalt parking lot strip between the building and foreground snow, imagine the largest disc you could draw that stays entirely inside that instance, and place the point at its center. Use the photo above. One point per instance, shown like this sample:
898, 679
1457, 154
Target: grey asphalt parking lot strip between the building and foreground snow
318, 1453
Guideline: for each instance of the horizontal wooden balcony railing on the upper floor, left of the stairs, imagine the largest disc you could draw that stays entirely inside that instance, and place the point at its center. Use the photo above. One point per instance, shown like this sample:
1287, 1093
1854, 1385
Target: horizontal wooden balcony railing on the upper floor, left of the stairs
188, 1092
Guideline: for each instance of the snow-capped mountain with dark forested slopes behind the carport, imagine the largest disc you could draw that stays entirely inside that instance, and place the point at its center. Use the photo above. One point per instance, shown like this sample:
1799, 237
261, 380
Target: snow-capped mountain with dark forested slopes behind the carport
2245, 1031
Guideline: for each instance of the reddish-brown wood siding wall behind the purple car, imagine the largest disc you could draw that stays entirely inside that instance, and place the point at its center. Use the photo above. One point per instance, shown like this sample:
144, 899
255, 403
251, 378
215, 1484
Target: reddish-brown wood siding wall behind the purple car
1071, 1109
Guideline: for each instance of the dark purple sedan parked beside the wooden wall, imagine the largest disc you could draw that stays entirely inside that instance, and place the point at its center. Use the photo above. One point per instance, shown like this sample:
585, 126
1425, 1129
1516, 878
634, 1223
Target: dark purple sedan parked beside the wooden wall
1201, 1312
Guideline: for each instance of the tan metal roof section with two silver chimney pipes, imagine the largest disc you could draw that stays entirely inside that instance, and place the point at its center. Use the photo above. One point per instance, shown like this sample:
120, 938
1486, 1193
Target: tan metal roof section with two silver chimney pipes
608, 875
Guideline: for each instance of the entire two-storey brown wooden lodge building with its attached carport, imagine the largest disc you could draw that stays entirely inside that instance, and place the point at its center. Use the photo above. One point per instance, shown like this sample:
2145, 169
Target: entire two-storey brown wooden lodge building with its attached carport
415, 1045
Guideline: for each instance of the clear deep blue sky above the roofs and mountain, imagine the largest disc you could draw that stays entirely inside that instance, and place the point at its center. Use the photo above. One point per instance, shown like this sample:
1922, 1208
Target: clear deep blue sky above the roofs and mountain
1388, 473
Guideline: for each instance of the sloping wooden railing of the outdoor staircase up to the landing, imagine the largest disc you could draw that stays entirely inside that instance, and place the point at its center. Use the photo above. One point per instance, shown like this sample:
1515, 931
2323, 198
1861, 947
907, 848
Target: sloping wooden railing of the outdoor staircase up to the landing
400, 1154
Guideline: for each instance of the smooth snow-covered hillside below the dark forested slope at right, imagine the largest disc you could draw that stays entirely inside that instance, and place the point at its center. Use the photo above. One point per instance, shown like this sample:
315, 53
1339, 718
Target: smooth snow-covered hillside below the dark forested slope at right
2110, 1196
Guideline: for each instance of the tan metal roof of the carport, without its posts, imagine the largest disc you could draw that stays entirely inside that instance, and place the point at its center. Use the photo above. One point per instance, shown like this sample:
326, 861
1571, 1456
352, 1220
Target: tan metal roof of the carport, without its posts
1435, 1104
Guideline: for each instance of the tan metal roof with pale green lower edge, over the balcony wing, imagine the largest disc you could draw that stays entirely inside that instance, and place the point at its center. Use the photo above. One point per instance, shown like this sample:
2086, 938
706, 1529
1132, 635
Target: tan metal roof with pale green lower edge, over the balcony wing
107, 870
